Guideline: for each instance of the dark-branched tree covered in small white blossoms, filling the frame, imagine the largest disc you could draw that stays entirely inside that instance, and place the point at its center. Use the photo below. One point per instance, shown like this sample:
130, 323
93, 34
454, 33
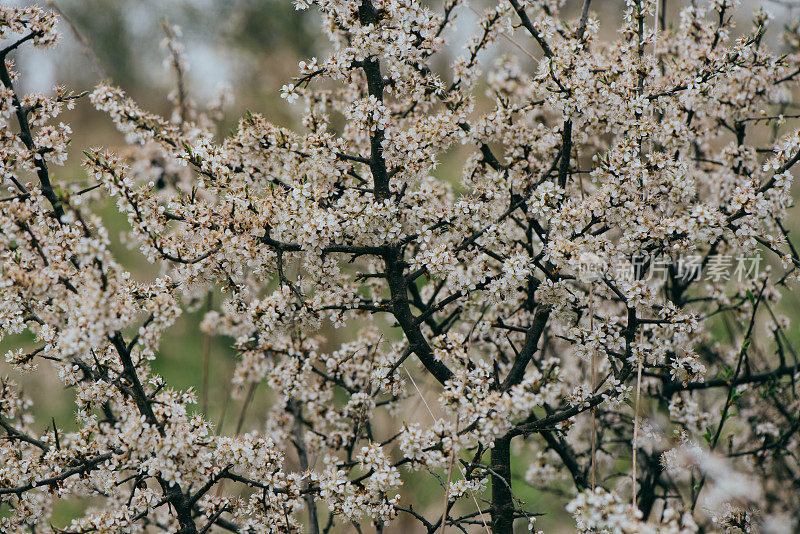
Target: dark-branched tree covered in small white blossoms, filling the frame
531, 323
